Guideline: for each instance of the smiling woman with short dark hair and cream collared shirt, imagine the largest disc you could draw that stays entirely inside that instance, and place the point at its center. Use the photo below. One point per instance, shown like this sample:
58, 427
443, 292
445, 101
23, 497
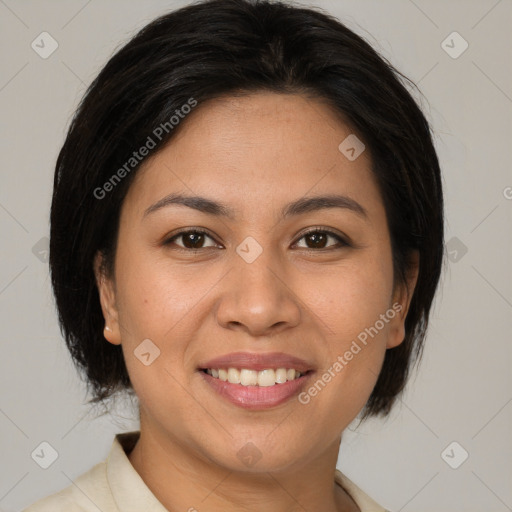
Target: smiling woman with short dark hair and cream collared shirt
246, 234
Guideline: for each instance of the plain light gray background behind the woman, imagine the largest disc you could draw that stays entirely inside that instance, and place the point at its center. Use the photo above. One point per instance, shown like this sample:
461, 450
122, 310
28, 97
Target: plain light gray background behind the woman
462, 391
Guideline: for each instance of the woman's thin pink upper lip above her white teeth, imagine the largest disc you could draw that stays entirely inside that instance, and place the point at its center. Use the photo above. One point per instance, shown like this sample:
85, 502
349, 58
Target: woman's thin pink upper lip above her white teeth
258, 361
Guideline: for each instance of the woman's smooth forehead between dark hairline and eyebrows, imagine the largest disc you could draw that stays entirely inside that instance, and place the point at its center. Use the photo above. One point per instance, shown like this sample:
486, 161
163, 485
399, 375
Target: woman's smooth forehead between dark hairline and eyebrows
256, 150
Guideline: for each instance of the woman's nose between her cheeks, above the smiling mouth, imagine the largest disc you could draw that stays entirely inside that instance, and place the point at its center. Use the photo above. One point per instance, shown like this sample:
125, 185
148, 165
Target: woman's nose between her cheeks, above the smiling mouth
258, 298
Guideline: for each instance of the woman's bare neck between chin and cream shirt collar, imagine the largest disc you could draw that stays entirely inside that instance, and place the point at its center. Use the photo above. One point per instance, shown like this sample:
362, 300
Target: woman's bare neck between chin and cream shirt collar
182, 479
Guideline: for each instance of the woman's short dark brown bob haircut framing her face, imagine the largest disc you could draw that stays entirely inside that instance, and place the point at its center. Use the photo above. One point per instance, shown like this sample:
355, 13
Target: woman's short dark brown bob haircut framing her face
222, 48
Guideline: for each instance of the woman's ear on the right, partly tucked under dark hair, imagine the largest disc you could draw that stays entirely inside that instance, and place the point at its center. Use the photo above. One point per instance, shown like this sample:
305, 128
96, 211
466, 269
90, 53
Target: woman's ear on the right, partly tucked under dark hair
402, 295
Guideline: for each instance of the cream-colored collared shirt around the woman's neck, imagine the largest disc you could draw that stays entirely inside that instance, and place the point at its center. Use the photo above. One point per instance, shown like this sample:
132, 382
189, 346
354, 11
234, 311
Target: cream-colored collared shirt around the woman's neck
114, 486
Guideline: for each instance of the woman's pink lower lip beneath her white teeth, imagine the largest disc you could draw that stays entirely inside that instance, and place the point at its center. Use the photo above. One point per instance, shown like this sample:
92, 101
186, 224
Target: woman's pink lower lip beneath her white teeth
257, 397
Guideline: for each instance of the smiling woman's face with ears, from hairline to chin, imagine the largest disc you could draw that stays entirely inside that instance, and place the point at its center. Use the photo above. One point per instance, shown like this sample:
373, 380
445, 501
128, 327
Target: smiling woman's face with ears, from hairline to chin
256, 282
